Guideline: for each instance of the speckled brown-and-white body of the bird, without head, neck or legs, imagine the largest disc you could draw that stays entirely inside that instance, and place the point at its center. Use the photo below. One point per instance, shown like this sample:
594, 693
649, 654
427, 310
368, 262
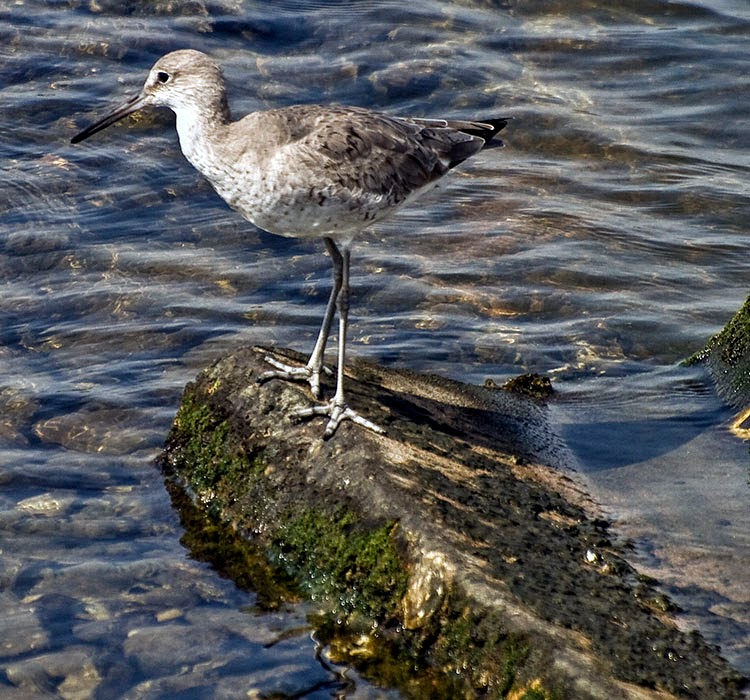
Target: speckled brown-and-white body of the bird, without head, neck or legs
316, 171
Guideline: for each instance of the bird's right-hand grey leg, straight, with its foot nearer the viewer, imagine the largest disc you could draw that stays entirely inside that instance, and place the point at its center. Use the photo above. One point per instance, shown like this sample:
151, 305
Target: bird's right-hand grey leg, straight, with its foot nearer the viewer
337, 410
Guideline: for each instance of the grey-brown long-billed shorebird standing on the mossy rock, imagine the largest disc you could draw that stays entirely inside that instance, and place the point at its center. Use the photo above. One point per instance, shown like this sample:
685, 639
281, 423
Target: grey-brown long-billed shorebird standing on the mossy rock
307, 171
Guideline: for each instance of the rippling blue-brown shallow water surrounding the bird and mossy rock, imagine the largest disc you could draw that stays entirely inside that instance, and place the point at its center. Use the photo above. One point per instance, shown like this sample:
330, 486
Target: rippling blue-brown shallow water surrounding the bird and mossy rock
603, 245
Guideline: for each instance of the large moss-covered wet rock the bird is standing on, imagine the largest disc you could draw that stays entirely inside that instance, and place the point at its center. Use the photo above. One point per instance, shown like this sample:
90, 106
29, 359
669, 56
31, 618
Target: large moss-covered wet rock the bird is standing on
451, 541
